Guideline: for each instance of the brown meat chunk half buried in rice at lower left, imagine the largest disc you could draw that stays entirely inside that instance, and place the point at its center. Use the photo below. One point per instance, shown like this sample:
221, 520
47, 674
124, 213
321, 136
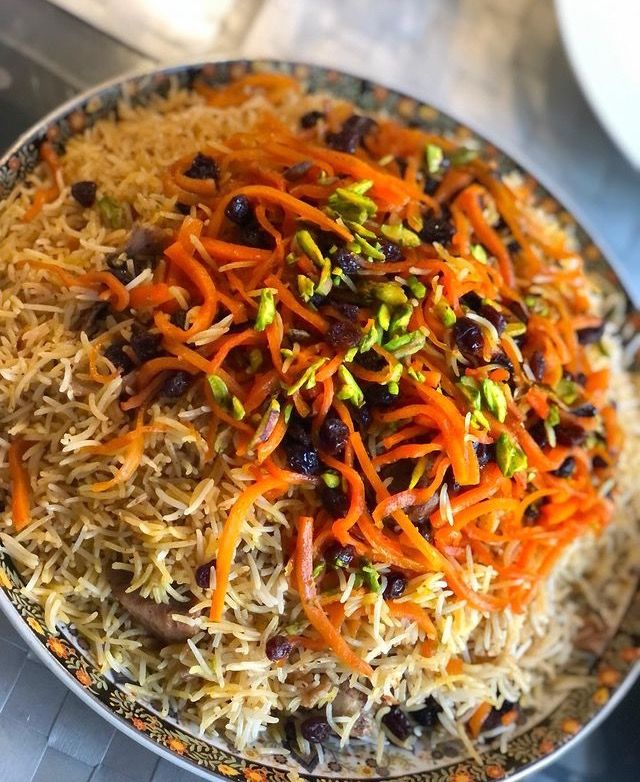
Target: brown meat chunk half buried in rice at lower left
155, 618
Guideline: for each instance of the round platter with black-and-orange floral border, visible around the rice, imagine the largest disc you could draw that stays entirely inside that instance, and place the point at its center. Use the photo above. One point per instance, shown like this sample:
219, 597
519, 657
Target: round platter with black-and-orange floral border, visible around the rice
608, 671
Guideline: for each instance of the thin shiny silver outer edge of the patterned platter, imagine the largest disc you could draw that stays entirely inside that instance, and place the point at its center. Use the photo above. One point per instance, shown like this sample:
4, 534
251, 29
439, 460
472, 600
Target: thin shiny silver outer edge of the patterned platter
520, 162
